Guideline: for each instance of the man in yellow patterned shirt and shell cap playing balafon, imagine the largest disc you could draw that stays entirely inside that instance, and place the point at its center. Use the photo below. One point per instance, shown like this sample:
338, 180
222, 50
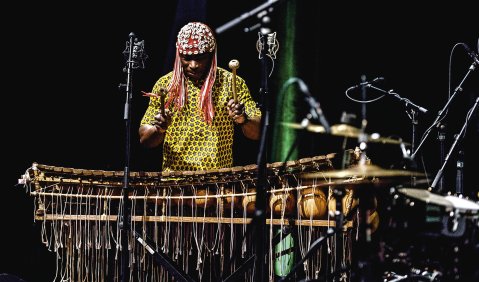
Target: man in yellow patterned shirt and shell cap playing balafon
192, 111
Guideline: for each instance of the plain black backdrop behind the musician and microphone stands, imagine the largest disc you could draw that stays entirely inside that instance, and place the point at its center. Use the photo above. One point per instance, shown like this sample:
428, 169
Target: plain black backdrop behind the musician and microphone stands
63, 64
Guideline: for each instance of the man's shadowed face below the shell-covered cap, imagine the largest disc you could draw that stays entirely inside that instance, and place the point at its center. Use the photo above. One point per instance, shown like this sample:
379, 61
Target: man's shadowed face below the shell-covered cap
196, 67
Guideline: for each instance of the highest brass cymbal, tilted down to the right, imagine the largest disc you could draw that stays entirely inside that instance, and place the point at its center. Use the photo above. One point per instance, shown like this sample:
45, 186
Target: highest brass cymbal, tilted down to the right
344, 130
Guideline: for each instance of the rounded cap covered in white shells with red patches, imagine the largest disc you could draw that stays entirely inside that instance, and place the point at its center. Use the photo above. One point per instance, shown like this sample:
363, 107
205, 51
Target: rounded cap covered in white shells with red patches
195, 38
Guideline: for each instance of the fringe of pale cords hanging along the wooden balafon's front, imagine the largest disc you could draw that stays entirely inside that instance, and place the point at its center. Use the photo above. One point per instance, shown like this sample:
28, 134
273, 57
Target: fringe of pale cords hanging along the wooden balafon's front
87, 243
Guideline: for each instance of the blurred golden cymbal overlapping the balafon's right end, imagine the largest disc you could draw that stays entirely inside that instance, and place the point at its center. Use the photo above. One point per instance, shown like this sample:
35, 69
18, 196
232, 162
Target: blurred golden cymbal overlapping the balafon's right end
362, 171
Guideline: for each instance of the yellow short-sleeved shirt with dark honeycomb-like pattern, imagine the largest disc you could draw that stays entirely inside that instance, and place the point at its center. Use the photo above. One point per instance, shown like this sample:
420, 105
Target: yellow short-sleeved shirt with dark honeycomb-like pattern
192, 144
